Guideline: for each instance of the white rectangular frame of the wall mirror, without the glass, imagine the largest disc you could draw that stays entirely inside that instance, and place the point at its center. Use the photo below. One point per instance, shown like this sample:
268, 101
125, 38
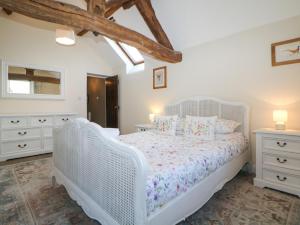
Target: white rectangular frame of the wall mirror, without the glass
4, 80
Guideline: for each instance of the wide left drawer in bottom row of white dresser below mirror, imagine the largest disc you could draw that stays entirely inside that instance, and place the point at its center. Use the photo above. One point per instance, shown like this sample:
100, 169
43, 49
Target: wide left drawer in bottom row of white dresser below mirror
21, 146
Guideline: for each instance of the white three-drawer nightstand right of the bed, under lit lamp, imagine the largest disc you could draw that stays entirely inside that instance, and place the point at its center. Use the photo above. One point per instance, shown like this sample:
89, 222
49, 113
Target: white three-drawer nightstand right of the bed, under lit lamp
278, 160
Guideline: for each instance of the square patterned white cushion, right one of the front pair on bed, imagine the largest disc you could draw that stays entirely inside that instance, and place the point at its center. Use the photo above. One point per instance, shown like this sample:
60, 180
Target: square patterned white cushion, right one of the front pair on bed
202, 127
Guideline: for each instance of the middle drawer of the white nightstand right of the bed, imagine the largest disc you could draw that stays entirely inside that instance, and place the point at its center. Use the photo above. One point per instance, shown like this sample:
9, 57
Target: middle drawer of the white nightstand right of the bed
282, 161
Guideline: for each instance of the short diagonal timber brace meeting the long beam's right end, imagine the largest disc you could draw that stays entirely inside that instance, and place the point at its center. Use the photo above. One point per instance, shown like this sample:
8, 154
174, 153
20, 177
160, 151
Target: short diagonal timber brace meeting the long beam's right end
146, 10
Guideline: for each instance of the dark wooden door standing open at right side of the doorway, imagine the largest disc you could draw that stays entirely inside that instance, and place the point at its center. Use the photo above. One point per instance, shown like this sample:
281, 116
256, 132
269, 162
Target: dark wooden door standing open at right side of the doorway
112, 102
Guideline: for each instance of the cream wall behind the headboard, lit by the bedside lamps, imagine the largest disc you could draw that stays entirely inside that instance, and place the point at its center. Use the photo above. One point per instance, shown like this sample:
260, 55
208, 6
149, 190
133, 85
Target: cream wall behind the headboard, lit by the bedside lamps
235, 68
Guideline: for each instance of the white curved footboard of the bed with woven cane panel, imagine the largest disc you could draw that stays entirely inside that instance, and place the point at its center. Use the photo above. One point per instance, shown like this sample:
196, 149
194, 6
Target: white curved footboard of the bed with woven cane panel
106, 177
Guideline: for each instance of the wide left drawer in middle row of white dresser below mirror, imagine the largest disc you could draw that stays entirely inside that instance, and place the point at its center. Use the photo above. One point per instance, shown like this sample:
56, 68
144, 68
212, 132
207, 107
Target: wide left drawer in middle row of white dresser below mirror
20, 134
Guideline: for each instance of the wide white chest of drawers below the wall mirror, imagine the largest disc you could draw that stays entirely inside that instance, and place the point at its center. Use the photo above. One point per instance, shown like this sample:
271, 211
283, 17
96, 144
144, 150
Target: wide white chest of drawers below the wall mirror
25, 135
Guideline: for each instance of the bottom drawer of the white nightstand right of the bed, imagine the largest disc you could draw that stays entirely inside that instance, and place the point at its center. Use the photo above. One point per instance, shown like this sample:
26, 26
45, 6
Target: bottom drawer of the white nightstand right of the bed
281, 178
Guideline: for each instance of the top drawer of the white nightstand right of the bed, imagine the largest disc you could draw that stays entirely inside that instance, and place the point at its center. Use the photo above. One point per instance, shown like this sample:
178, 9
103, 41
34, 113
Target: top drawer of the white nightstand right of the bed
281, 144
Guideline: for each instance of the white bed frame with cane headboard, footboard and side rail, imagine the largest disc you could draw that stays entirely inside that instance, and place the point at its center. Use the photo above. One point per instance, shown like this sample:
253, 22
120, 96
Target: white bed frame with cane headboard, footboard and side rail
108, 178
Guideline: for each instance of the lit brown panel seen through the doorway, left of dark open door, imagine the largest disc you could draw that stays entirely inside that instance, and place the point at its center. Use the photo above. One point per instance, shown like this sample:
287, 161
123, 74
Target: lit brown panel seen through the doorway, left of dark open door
96, 100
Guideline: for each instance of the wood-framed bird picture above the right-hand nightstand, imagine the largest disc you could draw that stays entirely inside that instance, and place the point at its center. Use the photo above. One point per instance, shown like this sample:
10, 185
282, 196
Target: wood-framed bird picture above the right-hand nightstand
286, 52
